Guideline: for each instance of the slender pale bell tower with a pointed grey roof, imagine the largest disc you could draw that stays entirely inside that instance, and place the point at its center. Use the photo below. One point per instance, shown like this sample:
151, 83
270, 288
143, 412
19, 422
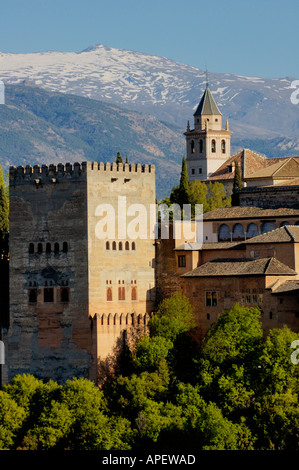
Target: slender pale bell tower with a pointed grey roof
207, 145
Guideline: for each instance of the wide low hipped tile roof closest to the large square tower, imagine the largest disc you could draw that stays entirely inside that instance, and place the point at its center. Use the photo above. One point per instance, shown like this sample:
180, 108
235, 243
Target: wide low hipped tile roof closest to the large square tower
244, 267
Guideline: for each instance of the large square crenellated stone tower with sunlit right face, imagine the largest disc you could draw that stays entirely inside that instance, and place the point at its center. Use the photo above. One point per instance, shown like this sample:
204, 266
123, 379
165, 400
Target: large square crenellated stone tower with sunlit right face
73, 293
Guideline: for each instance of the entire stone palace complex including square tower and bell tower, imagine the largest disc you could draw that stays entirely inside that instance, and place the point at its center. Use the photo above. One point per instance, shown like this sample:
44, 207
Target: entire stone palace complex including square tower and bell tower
76, 297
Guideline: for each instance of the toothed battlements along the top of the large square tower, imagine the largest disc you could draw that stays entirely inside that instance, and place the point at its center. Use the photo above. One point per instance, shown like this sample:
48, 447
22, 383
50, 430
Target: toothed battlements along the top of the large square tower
54, 173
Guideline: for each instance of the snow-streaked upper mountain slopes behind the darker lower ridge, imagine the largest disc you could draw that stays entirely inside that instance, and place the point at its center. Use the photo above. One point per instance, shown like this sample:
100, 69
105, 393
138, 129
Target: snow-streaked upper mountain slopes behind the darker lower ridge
256, 107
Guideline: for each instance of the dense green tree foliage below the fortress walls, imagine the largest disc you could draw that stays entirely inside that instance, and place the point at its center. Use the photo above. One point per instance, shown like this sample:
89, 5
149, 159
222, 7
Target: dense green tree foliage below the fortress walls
235, 390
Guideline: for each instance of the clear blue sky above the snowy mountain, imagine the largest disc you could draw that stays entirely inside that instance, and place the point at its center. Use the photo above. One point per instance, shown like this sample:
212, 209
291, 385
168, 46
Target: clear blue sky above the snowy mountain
254, 37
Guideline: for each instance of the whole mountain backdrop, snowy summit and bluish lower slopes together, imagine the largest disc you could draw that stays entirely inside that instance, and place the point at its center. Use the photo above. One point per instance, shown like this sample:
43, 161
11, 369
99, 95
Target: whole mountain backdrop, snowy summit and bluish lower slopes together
145, 90
